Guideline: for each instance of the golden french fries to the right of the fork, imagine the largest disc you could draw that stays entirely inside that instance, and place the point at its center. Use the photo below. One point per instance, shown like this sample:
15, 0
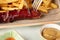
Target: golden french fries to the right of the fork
47, 5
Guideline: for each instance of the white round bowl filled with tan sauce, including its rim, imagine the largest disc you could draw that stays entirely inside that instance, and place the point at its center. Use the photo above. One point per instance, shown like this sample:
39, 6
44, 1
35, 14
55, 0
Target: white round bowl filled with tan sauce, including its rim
50, 32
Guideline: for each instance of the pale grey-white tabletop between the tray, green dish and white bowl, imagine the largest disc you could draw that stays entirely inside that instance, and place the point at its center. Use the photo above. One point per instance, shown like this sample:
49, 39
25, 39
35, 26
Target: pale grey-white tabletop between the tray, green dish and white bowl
28, 33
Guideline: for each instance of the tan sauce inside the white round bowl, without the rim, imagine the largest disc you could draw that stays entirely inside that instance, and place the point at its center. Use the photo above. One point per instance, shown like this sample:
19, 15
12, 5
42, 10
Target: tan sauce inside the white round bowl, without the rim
51, 34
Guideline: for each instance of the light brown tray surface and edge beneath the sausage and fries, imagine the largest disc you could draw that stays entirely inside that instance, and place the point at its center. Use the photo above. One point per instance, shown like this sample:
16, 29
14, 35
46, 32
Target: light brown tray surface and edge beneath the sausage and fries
52, 17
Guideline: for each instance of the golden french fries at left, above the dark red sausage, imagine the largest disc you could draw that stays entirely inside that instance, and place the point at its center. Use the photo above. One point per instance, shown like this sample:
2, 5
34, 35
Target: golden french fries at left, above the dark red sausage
11, 5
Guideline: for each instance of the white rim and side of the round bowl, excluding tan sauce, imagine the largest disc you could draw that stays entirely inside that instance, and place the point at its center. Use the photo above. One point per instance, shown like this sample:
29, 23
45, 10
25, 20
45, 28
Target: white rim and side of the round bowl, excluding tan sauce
55, 26
